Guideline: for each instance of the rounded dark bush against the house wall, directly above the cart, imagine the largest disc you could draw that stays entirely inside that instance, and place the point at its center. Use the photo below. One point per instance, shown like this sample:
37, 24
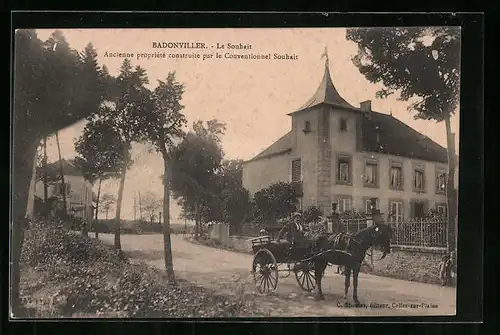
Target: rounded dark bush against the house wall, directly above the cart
277, 201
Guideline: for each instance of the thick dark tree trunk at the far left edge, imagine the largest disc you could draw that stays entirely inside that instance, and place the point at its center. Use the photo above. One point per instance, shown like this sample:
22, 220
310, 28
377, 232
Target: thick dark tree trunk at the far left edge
22, 172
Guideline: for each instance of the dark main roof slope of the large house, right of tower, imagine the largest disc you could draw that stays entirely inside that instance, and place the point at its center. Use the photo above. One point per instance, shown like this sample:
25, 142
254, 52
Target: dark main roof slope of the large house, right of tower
397, 138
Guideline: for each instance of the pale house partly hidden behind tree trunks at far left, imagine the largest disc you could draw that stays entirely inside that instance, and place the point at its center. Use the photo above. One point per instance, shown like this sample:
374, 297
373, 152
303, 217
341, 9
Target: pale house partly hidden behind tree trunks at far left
78, 191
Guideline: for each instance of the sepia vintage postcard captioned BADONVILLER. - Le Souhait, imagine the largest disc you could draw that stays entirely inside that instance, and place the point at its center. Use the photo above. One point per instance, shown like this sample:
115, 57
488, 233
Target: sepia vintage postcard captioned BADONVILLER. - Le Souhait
214, 173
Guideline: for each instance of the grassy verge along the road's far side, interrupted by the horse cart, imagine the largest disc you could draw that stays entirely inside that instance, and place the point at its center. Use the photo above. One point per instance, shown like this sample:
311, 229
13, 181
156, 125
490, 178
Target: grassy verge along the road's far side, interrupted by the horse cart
420, 267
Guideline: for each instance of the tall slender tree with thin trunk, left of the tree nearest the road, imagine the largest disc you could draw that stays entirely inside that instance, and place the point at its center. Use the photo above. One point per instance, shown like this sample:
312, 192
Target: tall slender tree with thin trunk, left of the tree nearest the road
131, 101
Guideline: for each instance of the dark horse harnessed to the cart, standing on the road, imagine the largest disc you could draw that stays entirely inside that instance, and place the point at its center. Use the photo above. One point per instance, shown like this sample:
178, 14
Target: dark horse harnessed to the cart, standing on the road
356, 245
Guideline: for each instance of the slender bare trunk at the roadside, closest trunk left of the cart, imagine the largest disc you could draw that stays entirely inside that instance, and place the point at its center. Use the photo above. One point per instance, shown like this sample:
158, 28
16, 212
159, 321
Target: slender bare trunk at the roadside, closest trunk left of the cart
167, 243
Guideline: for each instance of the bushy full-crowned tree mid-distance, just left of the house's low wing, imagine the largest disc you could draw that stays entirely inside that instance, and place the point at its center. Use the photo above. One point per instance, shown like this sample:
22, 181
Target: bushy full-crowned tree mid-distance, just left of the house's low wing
195, 161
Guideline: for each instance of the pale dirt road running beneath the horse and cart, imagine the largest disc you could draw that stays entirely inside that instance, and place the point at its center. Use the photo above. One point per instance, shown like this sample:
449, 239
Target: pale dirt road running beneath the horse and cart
230, 272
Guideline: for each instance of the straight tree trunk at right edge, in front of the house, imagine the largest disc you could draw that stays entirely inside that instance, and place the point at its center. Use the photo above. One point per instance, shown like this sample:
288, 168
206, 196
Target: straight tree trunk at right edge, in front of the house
451, 193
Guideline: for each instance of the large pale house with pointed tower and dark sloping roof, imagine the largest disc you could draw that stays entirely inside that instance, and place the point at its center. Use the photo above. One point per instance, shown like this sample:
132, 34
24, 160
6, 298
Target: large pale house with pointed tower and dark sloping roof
339, 153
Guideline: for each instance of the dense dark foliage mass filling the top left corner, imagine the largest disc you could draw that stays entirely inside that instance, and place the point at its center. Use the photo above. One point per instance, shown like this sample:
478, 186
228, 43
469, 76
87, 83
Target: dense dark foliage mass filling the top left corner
55, 86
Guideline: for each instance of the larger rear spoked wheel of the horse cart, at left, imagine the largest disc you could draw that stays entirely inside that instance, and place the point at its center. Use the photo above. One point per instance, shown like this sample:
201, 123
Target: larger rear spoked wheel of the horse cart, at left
265, 271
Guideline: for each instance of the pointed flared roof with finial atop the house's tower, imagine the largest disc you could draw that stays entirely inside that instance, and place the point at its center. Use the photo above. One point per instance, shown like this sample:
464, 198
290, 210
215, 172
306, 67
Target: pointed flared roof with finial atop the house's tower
326, 92
